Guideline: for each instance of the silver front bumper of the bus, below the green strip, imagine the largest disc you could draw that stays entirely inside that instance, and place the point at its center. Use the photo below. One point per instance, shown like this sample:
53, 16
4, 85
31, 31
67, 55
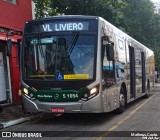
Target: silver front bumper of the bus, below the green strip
93, 105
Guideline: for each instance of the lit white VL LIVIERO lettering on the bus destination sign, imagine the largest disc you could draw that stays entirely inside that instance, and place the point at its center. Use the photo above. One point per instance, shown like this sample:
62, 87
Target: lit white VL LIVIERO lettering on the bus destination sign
65, 26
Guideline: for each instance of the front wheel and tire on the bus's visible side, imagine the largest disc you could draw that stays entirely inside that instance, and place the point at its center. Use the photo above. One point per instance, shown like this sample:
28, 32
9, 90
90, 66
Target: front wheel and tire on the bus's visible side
122, 101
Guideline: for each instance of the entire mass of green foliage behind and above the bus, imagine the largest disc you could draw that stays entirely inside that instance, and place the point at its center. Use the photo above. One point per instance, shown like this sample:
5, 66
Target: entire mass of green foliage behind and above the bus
136, 17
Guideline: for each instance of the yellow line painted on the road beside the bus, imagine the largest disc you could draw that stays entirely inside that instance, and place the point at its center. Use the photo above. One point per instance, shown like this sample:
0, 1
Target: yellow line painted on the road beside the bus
124, 119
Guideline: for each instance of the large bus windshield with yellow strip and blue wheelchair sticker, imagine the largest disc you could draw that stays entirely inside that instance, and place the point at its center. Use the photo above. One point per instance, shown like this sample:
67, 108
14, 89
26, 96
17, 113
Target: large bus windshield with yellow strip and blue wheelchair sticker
59, 57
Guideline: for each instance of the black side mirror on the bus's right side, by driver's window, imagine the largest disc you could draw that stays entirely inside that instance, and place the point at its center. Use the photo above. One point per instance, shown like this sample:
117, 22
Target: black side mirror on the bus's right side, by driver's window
110, 52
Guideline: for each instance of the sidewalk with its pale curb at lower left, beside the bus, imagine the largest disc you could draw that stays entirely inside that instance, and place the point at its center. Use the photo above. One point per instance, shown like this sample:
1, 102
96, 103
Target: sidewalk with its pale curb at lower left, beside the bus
12, 115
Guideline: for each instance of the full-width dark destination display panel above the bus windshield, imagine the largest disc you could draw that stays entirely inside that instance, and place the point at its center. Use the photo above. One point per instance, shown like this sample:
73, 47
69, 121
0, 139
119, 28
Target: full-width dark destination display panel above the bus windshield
61, 26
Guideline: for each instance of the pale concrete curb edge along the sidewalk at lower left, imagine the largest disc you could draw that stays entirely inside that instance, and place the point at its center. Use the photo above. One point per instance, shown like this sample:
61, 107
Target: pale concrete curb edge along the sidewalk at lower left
17, 121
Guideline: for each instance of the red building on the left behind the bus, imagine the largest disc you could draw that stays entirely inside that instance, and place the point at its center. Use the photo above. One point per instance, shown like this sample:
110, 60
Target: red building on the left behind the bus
13, 15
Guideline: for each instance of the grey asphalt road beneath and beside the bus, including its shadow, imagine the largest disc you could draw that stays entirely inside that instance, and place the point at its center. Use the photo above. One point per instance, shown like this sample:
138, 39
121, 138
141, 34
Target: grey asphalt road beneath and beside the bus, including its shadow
141, 118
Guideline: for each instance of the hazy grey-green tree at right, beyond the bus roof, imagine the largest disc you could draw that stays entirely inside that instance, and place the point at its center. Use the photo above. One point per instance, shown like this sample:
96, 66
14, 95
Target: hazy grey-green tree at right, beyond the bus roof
143, 24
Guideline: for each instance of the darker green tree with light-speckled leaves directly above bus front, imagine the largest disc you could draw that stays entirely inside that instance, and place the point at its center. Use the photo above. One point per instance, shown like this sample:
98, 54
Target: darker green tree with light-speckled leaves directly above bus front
110, 9
